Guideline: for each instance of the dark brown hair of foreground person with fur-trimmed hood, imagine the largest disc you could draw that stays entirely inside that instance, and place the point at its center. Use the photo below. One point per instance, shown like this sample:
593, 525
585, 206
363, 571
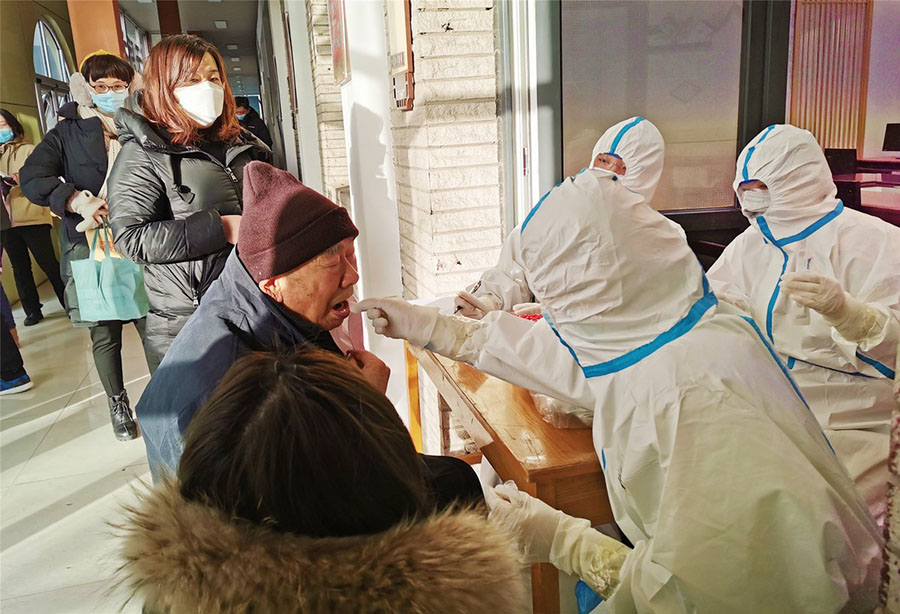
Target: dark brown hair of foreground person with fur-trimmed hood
304, 444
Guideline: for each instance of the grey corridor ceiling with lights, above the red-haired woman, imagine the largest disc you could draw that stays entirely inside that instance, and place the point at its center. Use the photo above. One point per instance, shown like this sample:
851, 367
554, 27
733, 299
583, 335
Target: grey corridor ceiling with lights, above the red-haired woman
199, 17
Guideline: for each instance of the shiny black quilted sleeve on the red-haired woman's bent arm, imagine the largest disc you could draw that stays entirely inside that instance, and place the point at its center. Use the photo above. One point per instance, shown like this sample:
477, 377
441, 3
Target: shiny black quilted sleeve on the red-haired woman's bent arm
141, 219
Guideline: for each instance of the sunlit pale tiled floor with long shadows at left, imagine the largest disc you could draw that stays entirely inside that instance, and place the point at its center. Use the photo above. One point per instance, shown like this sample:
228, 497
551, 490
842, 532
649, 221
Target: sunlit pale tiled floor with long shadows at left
63, 475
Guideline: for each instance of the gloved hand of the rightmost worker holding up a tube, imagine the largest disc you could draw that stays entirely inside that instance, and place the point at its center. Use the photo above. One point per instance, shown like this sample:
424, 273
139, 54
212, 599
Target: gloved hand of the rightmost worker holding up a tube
853, 319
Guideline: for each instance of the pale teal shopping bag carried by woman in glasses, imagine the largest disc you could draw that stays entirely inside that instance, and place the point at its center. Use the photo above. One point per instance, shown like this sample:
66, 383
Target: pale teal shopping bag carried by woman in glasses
112, 289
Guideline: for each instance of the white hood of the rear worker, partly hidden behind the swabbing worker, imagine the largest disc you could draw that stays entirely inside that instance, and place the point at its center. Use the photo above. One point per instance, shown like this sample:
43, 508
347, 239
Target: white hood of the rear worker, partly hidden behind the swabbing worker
640, 146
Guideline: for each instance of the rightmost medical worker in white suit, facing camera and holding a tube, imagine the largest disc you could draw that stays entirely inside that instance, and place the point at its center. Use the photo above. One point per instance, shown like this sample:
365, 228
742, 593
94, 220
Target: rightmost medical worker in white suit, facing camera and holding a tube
821, 280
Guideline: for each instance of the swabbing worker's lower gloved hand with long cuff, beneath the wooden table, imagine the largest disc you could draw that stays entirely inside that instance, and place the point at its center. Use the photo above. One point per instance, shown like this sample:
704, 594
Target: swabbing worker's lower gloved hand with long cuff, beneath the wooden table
544, 534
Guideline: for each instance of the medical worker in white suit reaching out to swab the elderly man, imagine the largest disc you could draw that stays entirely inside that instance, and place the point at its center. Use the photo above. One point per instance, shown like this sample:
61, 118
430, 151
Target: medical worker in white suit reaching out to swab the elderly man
716, 470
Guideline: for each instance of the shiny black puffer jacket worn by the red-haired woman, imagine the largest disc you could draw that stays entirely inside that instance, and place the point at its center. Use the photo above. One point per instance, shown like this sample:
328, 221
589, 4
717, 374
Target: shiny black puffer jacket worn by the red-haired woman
165, 204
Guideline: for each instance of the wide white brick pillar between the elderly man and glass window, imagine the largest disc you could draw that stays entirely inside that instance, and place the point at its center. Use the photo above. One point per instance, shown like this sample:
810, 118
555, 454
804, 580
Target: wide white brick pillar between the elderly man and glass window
447, 151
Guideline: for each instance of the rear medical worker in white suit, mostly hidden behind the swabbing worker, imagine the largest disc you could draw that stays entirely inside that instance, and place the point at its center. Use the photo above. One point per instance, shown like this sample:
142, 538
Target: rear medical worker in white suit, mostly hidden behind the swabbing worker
633, 150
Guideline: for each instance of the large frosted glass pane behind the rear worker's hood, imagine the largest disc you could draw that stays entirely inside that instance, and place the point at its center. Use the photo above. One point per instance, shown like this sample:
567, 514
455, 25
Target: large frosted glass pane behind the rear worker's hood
675, 62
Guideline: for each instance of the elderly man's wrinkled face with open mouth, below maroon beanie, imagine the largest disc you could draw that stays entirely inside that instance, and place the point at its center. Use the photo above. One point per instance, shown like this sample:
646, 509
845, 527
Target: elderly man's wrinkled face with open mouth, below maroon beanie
318, 290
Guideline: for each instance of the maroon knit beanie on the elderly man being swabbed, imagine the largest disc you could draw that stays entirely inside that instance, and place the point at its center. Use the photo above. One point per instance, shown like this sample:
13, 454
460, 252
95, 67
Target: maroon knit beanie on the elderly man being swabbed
285, 223
